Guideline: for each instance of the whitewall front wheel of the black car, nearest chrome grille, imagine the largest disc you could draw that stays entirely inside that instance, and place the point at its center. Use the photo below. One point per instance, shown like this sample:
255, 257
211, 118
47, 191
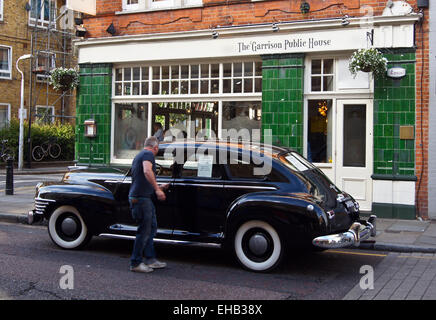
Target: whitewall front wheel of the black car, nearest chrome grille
67, 228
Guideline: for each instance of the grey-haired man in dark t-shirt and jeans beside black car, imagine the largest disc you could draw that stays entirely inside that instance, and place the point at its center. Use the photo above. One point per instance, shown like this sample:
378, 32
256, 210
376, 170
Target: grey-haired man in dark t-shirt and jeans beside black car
143, 211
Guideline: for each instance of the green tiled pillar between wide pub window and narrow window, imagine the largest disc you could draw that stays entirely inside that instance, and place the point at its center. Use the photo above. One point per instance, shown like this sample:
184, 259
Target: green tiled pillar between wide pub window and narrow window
282, 99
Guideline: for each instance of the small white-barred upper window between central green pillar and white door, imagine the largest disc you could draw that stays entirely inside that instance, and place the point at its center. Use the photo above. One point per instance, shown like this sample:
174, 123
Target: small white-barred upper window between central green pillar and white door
322, 75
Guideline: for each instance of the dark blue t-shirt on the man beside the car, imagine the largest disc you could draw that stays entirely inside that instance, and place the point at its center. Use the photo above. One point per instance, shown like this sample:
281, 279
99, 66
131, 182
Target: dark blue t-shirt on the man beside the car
140, 187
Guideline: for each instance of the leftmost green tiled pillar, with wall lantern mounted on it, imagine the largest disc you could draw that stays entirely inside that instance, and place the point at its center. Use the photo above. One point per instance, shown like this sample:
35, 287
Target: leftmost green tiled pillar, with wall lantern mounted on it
94, 102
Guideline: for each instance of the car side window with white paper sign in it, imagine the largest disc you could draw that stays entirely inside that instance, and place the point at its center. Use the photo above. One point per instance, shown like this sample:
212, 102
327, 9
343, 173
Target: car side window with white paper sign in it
201, 166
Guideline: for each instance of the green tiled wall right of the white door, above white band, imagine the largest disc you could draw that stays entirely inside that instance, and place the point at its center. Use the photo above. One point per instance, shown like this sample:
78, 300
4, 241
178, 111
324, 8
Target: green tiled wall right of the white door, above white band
394, 106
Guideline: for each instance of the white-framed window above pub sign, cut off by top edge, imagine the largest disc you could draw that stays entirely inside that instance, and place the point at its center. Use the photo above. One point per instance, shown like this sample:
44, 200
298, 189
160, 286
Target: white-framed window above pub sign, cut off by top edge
143, 5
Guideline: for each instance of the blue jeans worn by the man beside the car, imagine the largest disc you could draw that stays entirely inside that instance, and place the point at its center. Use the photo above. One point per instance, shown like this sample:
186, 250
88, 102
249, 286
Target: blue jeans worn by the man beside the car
144, 214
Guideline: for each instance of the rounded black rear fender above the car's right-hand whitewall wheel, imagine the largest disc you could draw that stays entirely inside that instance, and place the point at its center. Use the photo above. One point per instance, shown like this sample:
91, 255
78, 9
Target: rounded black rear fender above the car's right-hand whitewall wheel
296, 212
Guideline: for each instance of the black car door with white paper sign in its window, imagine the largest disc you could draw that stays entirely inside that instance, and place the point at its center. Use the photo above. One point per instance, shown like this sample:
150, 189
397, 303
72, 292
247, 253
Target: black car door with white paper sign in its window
200, 210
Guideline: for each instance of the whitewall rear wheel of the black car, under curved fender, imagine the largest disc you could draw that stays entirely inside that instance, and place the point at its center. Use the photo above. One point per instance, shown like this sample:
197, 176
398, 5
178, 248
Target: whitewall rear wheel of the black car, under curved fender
258, 246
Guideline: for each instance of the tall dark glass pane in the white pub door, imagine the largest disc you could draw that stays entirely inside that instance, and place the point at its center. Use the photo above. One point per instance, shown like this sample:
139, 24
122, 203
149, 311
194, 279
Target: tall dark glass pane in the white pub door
354, 135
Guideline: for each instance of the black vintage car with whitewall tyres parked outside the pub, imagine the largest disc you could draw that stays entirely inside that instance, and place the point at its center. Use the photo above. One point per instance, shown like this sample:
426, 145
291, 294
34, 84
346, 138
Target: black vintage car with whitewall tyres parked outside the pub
257, 200
